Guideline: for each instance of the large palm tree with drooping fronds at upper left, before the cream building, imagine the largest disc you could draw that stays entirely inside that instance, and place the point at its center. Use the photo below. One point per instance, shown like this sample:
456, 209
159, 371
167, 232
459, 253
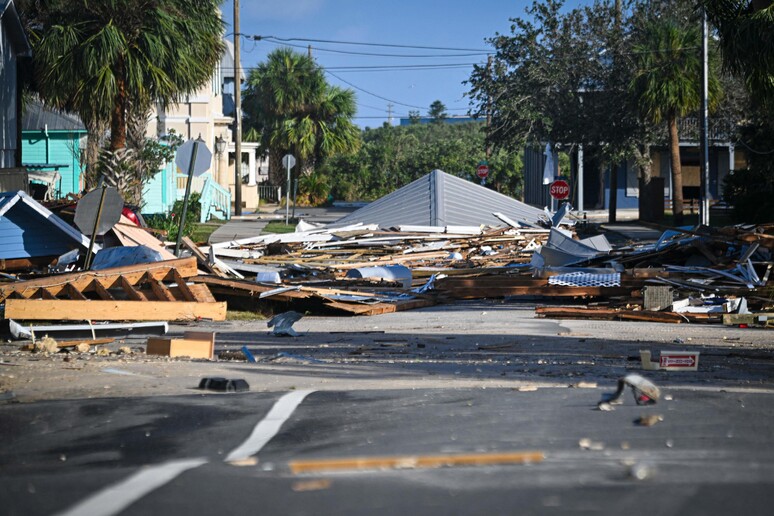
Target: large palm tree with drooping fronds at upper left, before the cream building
100, 58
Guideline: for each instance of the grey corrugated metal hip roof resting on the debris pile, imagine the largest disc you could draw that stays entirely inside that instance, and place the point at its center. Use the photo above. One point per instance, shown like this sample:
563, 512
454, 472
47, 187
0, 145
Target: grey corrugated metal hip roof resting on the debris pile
440, 199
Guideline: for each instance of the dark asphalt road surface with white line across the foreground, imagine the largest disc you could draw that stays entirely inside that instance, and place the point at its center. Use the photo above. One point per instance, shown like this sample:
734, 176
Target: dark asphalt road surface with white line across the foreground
220, 454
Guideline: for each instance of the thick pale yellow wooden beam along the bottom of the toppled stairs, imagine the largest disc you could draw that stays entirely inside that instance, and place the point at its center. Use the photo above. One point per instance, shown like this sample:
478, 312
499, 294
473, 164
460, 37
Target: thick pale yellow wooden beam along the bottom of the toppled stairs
90, 310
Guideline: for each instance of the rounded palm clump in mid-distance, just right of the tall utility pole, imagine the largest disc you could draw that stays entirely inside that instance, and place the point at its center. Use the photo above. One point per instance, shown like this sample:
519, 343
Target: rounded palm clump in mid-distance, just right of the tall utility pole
296, 111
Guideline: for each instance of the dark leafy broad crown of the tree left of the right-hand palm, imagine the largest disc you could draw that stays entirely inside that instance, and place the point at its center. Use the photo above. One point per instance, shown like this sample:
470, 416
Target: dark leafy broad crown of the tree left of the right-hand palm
562, 77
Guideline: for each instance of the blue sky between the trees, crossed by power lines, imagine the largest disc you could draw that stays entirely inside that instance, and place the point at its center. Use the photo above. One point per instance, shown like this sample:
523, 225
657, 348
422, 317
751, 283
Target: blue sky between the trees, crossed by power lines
464, 24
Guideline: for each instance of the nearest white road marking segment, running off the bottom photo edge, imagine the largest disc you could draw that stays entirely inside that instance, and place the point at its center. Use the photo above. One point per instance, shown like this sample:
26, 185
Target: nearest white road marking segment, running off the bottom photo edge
121, 495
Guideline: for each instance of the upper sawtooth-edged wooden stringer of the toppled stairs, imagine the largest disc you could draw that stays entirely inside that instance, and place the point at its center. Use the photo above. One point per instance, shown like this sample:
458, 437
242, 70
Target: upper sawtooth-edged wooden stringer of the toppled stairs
186, 267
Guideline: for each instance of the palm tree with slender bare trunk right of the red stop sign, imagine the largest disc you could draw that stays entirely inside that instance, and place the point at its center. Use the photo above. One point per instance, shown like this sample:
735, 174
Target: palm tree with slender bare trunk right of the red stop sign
667, 85
